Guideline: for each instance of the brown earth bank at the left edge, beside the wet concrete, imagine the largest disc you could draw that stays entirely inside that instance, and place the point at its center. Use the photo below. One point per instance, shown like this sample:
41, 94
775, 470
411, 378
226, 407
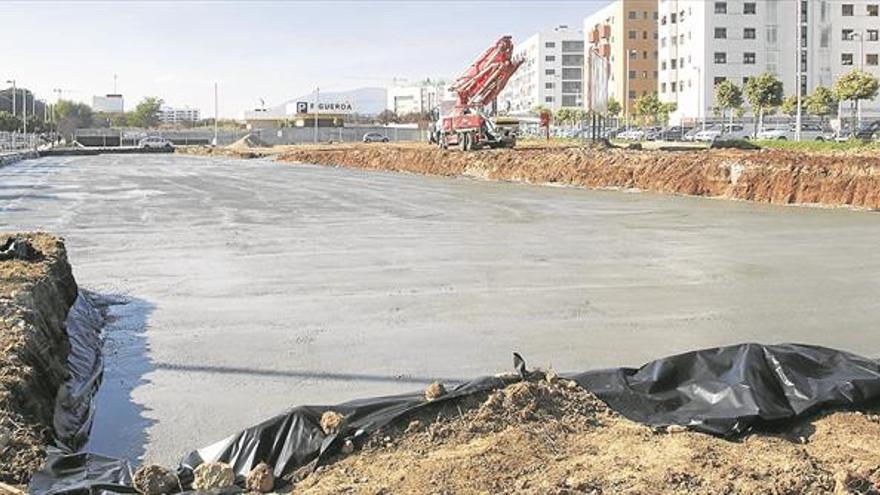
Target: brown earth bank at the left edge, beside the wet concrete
36, 293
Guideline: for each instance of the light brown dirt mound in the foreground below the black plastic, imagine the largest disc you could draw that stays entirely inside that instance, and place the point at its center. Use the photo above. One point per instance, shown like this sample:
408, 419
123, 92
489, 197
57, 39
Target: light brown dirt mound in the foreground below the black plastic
543, 437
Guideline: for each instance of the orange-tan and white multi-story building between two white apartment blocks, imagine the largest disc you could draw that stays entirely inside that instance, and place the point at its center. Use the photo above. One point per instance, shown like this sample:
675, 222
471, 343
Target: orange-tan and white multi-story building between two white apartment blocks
623, 34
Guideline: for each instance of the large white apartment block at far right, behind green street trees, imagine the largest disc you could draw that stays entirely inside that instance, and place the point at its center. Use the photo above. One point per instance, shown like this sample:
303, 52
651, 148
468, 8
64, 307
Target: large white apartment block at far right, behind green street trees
702, 43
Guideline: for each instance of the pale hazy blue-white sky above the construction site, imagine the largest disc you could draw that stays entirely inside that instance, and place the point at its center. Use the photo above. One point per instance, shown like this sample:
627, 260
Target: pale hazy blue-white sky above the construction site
273, 51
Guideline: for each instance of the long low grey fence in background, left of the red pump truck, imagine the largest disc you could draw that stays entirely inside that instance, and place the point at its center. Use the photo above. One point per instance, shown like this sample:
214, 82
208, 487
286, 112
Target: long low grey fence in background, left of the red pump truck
287, 135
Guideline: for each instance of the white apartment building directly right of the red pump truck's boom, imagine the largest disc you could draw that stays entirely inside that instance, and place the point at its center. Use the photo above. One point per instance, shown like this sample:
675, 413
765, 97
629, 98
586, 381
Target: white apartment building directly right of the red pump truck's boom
551, 75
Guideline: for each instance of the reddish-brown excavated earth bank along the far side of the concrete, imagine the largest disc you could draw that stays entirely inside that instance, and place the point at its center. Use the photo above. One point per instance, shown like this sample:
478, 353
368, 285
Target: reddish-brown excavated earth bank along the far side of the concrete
769, 176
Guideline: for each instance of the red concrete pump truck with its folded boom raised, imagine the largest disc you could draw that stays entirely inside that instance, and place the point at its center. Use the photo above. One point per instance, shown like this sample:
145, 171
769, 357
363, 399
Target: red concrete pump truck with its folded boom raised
467, 126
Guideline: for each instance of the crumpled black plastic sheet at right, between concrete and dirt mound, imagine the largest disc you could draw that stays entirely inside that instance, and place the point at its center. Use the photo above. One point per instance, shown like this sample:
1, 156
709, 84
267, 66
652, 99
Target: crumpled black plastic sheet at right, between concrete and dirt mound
726, 390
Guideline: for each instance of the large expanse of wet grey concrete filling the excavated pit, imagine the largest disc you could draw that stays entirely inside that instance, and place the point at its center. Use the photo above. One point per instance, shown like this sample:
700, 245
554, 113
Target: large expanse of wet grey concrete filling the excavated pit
254, 286
